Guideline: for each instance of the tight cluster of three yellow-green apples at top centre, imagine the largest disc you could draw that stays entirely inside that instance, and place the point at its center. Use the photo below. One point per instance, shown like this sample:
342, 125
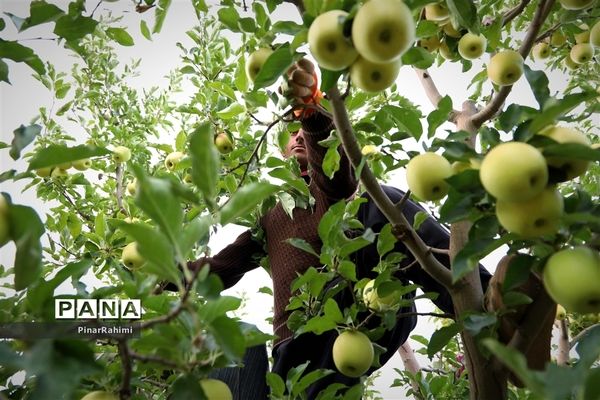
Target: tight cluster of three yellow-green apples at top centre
382, 30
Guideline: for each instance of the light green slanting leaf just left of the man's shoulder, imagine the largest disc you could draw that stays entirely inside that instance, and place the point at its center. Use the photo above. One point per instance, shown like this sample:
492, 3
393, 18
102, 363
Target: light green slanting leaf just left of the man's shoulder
245, 200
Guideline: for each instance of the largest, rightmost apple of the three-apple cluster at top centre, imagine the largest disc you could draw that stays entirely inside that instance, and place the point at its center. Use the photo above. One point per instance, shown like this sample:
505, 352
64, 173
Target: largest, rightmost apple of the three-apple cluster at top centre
383, 30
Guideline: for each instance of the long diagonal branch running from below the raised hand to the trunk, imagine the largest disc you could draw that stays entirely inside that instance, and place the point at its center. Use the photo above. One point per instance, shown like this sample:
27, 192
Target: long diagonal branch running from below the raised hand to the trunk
411, 239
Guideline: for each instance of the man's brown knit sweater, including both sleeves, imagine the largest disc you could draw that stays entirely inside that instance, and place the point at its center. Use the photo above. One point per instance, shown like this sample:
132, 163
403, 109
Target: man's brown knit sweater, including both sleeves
287, 261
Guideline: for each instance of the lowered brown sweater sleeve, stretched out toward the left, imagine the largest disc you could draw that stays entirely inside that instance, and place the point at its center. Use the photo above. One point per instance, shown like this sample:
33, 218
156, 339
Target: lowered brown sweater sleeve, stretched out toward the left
231, 263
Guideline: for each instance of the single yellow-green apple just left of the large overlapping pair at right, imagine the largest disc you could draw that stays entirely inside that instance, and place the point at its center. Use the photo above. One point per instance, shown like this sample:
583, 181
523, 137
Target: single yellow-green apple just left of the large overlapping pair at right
426, 176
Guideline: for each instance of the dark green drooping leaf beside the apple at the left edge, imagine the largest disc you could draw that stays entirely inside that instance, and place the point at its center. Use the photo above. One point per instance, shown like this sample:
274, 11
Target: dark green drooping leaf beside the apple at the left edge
26, 229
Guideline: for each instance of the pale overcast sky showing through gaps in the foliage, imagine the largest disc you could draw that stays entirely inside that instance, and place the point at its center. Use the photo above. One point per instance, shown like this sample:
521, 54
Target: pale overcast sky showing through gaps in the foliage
19, 104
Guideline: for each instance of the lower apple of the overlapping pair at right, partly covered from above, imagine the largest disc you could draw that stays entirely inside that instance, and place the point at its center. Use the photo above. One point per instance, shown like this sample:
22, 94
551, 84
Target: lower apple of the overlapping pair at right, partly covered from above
532, 218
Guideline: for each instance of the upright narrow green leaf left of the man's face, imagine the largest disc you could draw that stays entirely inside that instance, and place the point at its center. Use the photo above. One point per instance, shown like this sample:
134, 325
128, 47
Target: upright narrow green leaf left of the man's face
205, 162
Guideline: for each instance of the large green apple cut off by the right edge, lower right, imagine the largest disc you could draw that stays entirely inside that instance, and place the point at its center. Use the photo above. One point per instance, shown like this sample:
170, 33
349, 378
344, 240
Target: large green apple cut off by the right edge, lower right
572, 277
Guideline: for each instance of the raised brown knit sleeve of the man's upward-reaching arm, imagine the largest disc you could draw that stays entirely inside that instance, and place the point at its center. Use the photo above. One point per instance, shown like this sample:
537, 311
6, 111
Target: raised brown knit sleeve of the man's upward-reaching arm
343, 184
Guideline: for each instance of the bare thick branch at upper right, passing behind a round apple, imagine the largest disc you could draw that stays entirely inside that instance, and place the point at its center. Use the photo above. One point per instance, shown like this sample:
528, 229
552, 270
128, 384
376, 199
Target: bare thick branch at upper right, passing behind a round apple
496, 103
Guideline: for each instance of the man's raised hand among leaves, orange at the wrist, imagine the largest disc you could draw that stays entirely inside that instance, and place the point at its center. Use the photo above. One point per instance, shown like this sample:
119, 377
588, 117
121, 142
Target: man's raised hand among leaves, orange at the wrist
302, 87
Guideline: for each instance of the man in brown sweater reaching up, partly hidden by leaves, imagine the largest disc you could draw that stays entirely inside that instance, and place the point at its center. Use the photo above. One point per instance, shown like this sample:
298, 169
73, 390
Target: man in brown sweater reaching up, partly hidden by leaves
287, 262
